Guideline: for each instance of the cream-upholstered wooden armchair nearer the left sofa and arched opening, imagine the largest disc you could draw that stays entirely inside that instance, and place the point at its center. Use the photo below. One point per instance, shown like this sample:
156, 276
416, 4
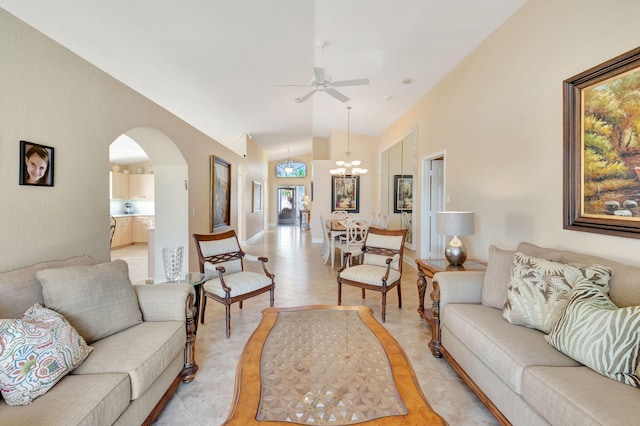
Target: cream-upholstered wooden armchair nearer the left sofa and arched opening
222, 261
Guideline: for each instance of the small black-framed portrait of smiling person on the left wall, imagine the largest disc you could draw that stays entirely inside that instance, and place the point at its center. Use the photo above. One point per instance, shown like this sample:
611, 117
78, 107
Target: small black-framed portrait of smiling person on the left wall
36, 164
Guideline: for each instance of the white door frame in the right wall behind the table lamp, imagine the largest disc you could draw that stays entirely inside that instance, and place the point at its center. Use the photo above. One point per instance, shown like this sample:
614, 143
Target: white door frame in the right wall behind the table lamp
427, 212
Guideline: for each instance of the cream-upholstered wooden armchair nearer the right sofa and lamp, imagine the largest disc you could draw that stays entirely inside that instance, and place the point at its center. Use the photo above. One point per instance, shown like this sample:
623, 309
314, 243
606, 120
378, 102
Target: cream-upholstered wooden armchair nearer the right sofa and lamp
381, 267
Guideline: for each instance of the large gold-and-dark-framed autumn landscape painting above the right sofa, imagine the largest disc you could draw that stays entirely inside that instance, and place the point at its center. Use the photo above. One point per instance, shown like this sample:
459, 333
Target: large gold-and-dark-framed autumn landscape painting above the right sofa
602, 148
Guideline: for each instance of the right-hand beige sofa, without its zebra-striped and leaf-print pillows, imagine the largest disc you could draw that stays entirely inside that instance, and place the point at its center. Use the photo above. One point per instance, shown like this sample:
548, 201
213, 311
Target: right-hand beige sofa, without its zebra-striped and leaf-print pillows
517, 374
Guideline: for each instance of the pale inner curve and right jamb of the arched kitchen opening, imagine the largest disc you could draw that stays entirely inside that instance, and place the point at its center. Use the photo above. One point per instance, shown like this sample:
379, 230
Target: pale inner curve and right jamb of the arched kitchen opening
171, 195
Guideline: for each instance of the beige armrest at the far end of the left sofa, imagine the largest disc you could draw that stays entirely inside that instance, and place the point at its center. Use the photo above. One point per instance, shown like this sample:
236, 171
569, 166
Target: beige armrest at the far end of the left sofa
165, 302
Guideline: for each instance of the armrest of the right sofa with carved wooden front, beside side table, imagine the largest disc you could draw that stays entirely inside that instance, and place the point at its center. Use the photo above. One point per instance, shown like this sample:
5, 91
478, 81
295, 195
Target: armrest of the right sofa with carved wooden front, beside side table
452, 287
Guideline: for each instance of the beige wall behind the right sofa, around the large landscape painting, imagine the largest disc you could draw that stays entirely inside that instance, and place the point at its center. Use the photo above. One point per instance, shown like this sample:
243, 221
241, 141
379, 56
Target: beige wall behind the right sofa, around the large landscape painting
498, 115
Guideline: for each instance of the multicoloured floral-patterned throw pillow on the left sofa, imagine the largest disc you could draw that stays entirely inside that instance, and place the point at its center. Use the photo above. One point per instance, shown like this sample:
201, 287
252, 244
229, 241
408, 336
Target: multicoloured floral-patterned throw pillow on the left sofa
36, 351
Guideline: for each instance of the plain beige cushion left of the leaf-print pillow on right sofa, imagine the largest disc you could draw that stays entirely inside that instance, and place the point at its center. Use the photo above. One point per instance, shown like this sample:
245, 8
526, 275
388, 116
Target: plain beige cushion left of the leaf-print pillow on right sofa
497, 277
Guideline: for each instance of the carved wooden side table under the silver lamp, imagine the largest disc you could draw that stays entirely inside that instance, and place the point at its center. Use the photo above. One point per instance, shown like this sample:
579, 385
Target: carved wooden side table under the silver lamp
427, 268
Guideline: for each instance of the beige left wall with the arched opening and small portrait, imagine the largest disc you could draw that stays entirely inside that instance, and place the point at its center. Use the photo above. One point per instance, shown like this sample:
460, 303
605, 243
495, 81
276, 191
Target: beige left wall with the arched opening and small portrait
52, 97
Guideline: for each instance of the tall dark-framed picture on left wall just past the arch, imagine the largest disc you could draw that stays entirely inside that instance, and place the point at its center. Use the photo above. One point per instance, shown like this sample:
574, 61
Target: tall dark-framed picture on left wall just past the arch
220, 197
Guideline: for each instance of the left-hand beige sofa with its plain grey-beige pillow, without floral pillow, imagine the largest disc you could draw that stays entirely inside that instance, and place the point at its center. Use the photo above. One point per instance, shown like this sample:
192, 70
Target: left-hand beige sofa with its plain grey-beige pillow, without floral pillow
133, 370
